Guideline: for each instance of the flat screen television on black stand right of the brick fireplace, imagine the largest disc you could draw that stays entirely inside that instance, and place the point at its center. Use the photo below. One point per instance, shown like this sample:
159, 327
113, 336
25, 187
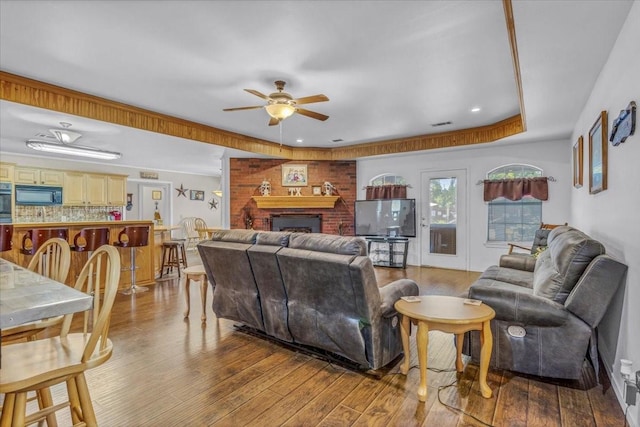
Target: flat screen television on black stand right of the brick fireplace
385, 217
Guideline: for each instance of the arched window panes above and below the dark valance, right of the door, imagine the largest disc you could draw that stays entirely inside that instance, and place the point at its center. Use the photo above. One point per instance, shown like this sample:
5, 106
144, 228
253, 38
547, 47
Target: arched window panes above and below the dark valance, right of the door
514, 221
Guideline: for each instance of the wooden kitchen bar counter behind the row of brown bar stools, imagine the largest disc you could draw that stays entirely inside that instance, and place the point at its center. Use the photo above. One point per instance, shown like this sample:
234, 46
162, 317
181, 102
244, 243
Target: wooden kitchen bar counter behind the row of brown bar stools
145, 258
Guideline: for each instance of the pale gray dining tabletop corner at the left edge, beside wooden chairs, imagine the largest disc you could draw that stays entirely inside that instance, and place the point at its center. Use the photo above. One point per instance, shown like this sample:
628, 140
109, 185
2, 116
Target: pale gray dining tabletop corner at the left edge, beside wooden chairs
26, 296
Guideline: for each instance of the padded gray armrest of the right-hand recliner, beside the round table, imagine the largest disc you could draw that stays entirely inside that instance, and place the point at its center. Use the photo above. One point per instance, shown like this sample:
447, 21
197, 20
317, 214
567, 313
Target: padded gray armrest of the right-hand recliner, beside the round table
522, 307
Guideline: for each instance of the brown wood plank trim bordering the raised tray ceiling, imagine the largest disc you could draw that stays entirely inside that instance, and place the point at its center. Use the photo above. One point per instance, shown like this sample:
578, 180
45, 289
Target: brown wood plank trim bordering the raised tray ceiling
26, 91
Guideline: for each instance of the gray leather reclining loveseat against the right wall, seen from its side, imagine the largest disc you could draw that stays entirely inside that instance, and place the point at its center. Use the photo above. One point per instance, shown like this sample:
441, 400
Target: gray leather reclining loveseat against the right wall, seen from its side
546, 318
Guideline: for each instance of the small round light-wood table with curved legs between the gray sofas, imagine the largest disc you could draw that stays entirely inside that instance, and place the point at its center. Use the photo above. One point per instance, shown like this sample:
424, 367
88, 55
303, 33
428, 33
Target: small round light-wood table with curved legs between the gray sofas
446, 314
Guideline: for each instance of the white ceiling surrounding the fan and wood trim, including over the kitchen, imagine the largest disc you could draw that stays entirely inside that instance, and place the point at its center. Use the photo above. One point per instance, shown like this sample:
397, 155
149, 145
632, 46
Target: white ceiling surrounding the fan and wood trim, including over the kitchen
390, 68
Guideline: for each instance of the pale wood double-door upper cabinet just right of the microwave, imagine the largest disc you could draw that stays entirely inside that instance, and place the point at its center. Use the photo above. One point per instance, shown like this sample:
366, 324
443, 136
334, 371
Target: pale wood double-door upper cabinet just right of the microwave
84, 189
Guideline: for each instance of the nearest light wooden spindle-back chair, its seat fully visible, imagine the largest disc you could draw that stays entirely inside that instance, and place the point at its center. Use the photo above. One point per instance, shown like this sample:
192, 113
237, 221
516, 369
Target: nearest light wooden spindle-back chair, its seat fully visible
37, 365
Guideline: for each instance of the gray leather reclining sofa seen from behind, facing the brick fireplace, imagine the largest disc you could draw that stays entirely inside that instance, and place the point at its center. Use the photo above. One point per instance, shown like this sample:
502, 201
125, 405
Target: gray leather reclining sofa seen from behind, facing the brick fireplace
317, 290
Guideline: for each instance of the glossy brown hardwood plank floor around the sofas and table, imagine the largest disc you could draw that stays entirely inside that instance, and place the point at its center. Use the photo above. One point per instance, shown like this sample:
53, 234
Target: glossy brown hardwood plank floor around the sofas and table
170, 371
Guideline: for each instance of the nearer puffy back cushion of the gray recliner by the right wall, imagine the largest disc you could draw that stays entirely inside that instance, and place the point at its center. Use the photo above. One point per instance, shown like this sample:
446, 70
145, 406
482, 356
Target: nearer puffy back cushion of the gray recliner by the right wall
558, 269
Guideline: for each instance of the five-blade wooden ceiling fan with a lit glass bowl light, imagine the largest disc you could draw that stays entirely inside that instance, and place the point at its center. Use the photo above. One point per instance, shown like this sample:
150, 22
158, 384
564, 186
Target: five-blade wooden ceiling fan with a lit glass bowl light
281, 105
